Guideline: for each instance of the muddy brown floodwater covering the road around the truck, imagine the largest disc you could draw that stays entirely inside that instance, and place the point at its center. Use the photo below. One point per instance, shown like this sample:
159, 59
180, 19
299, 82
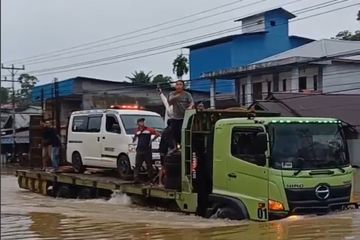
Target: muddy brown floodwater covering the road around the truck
26, 215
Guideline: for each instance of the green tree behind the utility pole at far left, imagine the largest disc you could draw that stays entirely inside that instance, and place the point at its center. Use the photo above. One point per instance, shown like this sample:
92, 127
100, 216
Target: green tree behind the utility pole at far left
27, 83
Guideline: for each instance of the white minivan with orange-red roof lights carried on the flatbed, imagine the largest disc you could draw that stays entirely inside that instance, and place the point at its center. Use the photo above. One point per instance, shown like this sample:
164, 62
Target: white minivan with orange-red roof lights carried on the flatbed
103, 138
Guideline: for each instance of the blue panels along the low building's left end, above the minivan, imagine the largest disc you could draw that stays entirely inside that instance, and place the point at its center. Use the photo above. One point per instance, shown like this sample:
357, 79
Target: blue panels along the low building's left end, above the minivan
66, 88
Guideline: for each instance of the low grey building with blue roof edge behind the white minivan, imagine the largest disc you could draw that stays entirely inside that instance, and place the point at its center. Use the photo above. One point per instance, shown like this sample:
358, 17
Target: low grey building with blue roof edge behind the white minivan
80, 93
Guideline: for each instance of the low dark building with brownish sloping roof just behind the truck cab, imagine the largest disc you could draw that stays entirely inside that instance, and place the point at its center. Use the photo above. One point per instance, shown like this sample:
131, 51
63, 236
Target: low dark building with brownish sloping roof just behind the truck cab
345, 107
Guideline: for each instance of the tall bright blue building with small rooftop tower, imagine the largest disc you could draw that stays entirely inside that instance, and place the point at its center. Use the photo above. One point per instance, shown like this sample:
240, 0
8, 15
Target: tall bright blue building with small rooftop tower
263, 35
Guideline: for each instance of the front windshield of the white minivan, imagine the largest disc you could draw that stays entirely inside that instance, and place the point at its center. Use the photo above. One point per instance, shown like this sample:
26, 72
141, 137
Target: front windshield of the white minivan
130, 124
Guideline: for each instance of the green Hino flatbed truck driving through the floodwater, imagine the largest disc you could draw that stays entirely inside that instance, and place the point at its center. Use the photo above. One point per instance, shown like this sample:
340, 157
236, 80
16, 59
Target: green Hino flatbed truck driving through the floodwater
236, 165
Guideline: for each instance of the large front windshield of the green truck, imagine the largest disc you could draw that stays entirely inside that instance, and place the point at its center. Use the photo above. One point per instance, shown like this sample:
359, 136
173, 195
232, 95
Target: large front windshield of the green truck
307, 146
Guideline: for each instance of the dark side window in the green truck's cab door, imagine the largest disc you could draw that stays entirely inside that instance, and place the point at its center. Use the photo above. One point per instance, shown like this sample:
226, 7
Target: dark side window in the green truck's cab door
243, 144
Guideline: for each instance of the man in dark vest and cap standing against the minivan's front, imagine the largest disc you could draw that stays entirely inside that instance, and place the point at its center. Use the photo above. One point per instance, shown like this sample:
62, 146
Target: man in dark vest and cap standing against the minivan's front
144, 148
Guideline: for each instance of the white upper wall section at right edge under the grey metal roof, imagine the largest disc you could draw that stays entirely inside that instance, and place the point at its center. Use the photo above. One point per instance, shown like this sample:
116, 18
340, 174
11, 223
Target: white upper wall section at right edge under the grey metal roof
339, 78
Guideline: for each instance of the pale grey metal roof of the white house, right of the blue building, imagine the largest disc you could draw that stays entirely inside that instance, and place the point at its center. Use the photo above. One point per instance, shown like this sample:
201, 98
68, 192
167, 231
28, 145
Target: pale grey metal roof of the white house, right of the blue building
317, 49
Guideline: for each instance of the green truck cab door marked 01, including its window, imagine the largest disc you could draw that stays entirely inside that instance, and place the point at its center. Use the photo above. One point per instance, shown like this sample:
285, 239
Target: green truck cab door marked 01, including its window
247, 171
